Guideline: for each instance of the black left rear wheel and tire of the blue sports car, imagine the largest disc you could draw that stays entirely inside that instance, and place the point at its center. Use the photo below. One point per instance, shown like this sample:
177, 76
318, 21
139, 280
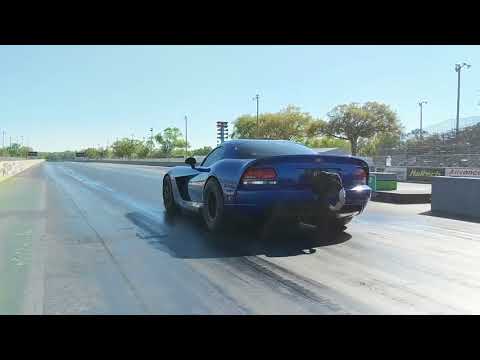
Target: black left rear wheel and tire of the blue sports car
213, 211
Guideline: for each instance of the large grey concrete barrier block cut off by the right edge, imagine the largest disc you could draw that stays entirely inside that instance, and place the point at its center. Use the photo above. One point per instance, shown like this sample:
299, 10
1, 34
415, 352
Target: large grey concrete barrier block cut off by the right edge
458, 196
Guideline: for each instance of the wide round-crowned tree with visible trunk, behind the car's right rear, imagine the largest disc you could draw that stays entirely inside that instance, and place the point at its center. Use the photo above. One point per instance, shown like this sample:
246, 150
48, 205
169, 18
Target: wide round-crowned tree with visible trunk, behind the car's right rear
356, 121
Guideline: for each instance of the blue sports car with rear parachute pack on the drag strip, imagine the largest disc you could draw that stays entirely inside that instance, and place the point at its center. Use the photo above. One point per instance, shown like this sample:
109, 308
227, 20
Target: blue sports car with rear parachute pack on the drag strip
269, 178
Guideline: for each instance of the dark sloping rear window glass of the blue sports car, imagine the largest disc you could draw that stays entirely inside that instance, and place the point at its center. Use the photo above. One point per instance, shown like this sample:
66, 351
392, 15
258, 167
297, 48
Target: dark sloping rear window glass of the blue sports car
257, 150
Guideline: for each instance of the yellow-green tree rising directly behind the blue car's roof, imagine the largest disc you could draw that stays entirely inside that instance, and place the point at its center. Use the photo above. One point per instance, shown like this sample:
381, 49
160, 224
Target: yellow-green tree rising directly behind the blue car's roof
287, 124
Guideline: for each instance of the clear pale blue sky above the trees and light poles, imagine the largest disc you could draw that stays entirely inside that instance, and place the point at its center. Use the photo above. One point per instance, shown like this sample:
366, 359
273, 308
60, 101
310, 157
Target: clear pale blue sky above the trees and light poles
72, 97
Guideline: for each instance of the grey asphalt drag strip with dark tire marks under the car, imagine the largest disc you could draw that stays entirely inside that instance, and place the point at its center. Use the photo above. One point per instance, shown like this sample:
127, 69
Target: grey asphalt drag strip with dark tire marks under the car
78, 238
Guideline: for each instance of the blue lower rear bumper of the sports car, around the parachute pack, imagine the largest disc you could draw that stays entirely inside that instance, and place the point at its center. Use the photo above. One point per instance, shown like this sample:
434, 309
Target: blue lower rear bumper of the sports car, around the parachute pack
295, 202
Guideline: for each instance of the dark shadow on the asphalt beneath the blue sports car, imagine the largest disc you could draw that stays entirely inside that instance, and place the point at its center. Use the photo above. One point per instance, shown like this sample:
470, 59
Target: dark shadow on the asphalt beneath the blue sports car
185, 236
